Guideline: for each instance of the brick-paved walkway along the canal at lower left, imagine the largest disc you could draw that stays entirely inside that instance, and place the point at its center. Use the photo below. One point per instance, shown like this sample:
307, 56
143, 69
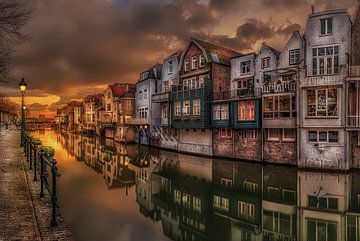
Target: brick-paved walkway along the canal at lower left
23, 214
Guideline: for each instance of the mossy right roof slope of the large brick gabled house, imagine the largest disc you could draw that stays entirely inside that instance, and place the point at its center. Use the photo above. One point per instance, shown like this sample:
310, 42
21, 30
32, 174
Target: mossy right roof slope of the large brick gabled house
215, 53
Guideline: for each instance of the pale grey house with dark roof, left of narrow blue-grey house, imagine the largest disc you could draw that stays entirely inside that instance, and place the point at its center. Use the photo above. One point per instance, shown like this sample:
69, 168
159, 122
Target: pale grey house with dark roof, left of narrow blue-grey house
147, 85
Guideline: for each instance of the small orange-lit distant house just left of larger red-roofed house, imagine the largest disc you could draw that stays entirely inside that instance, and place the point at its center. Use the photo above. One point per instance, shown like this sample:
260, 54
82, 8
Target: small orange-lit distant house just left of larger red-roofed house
91, 104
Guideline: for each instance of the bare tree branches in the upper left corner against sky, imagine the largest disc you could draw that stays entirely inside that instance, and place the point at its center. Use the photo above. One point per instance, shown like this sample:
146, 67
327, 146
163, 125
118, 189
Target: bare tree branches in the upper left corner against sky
14, 14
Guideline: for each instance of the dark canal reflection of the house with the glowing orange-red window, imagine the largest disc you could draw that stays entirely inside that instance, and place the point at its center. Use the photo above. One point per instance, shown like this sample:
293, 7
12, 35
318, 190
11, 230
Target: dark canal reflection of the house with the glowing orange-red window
236, 200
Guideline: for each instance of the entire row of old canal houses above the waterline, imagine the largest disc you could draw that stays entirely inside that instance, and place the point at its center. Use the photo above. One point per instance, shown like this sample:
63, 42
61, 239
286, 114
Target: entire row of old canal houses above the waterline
298, 106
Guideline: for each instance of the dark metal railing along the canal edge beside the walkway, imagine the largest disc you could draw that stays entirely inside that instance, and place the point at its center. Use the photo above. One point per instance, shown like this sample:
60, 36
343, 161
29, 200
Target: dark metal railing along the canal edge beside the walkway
41, 163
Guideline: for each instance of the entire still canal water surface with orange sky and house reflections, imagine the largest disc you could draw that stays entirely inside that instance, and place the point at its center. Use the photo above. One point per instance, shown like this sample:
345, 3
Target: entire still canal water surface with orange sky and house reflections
112, 191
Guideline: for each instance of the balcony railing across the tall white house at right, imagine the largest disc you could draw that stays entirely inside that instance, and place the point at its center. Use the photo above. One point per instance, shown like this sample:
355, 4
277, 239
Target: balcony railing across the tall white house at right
329, 77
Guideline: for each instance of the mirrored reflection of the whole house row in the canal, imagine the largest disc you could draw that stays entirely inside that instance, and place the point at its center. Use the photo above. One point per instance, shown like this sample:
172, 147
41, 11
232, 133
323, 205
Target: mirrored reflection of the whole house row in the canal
202, 198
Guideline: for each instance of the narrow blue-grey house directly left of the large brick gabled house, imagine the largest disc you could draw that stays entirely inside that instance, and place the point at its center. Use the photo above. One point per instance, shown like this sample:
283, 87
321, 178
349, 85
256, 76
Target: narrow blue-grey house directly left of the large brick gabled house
163, 135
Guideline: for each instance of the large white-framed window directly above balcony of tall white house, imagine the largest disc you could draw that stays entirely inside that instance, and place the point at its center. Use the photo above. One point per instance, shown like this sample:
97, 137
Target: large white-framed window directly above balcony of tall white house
325, 60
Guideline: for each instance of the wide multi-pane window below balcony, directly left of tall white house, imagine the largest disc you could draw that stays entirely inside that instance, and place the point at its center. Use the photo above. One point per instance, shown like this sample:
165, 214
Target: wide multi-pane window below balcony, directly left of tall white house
279, 106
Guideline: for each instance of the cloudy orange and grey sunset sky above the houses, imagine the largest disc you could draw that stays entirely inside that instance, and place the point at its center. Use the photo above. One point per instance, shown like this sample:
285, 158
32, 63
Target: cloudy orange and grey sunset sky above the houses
78, 47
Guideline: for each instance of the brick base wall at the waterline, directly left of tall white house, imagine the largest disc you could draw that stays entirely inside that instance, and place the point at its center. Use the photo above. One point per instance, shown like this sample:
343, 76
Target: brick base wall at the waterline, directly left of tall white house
280, 152
